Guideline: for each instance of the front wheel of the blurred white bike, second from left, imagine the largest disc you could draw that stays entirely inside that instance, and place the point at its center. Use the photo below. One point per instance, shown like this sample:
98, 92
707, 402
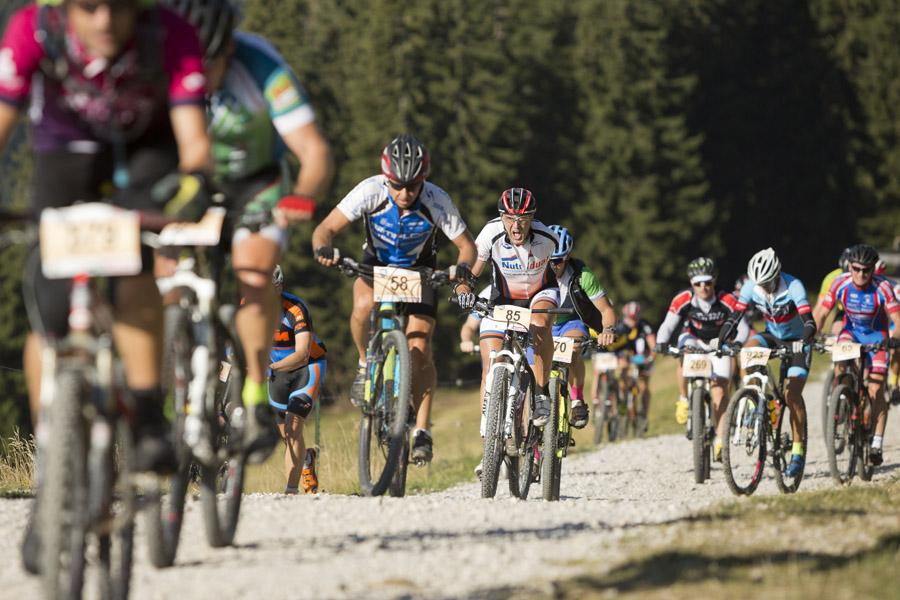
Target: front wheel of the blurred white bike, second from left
165, 499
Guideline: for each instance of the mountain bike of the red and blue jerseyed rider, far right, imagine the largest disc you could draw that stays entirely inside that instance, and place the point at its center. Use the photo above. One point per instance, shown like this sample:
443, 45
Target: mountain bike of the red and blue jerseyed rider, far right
848, 426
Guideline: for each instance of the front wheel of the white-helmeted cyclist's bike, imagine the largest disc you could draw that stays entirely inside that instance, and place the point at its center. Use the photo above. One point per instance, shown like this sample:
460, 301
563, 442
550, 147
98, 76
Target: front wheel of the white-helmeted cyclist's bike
744, 446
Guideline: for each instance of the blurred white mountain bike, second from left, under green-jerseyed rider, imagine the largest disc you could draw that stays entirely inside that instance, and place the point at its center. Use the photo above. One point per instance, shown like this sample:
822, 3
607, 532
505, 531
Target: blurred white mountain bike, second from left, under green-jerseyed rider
203, 372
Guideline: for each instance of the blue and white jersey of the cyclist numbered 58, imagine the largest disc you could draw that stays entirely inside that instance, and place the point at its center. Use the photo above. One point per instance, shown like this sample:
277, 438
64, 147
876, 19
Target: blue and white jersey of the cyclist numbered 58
402, 238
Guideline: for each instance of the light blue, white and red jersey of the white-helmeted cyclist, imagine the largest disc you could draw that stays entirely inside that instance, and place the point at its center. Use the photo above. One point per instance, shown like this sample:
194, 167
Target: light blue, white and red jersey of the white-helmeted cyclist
781, 309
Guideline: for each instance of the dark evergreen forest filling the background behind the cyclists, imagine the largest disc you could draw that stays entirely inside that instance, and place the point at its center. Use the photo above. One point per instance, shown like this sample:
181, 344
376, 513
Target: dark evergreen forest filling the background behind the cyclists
655, 130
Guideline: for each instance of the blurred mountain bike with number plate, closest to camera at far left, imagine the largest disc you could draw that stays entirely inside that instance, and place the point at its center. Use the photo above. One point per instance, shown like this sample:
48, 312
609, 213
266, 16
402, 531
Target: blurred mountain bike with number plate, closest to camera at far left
86, 492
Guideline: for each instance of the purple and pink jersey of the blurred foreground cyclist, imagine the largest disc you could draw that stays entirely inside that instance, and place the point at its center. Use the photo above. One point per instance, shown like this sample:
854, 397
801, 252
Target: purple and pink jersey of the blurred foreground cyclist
95, 98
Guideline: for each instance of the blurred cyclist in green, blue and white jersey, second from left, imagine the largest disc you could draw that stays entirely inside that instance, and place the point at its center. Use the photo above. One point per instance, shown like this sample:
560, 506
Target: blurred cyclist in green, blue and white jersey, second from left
258, 111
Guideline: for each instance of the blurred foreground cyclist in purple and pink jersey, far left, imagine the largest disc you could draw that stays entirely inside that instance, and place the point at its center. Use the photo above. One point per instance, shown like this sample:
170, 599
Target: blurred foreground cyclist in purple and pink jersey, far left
116, 92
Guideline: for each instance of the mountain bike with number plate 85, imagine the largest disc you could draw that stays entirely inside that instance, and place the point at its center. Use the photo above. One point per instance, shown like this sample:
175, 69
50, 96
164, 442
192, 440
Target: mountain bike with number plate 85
506, 428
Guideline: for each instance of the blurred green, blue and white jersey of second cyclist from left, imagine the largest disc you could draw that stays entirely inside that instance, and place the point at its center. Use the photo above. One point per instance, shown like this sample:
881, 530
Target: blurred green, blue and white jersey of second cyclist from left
259, 101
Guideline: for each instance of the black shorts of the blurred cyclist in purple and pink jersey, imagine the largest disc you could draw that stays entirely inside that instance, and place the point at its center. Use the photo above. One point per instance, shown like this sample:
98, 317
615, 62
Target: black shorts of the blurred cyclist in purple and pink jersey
83, 172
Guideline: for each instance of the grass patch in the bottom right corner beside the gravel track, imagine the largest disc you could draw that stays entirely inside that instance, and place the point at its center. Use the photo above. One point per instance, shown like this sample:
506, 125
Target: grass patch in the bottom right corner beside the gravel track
841, 543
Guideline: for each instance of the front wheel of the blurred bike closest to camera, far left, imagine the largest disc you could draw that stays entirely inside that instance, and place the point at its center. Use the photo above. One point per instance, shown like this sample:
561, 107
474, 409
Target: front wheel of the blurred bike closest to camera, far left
62, 516
